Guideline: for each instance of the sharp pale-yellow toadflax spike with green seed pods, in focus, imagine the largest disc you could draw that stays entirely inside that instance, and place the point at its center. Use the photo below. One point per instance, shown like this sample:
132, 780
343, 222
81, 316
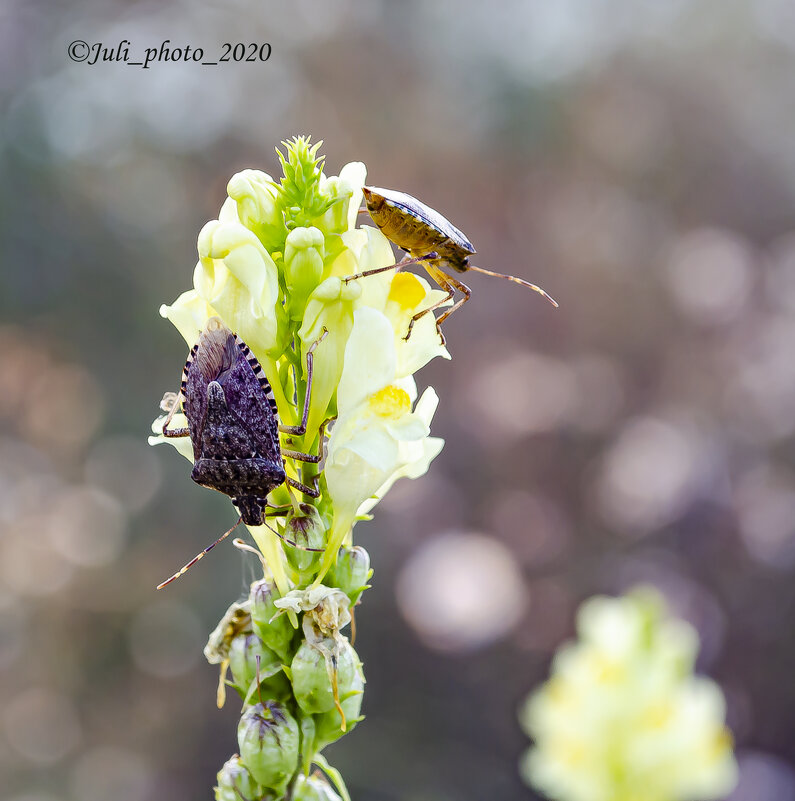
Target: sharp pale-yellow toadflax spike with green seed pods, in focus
272, 269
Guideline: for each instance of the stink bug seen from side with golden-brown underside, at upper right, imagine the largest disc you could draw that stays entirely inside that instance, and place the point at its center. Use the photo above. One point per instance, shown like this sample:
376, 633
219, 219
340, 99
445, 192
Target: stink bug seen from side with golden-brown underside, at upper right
431, 240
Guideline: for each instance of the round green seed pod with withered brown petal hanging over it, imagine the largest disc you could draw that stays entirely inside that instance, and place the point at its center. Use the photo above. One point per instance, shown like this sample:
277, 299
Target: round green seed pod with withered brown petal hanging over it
313, 670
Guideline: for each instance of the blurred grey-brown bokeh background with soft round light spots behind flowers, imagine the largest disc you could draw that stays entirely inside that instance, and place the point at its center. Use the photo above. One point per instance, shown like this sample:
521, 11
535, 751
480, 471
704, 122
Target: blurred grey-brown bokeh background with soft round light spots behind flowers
633, 157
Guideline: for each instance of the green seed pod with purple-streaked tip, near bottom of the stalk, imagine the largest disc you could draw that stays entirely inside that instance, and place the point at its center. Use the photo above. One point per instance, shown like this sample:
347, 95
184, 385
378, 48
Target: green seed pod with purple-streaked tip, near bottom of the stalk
269, 743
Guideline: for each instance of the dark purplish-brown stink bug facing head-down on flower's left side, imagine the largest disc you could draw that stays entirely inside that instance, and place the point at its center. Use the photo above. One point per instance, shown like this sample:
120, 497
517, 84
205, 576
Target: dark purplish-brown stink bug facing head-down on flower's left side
234, 427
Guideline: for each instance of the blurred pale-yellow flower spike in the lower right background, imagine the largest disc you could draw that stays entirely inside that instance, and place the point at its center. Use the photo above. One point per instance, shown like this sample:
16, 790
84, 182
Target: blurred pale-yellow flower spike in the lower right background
623, 718
